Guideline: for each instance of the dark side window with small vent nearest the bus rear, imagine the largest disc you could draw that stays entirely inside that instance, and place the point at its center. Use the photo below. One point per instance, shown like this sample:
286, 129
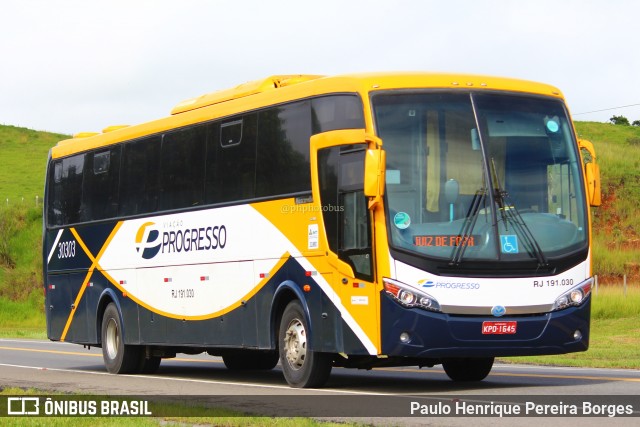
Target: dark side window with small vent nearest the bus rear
100, 192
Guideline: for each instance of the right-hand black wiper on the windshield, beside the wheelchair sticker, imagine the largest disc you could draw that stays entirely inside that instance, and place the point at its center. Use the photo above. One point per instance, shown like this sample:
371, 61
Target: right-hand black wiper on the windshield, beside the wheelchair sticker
510, 214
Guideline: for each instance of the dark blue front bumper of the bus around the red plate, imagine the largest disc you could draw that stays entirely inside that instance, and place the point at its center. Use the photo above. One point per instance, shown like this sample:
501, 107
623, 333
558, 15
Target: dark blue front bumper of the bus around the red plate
418, 333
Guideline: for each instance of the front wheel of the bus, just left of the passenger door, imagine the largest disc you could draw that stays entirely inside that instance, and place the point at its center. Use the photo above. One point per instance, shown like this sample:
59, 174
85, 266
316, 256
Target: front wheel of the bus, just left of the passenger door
302, 367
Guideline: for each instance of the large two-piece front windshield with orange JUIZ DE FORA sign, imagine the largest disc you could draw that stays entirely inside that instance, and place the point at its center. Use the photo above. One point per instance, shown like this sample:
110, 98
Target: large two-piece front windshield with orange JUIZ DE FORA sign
481, 176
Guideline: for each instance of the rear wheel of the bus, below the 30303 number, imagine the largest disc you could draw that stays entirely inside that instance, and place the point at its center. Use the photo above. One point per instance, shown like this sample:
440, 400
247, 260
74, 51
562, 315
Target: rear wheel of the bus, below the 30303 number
118, 357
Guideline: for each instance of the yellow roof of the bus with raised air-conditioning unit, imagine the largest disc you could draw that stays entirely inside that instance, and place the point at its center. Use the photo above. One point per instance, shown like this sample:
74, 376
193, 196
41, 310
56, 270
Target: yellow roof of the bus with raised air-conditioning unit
278, 89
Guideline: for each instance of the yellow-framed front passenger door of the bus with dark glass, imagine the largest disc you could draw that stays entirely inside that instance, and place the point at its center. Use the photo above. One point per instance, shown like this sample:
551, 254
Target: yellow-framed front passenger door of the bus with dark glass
339, 182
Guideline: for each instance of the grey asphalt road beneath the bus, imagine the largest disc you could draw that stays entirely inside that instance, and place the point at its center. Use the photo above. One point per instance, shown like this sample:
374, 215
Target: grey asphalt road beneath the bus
66, 367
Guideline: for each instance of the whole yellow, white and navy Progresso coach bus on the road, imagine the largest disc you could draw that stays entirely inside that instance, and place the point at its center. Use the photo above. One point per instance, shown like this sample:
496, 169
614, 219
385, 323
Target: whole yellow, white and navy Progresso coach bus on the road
351, 221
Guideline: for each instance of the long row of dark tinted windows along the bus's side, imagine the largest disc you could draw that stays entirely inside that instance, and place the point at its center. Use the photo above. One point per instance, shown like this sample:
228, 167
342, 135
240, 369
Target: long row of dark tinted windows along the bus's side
251, 155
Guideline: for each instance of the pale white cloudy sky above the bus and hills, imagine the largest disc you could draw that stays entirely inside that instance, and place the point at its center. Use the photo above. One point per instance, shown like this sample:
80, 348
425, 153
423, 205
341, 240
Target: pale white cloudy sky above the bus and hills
72, 66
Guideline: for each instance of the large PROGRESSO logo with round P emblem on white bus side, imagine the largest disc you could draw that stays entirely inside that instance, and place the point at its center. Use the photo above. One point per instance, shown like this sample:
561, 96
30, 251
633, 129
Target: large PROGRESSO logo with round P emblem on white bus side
150, 243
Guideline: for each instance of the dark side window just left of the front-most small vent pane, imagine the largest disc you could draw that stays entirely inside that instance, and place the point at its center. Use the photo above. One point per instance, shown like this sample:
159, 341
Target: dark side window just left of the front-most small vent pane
182, 177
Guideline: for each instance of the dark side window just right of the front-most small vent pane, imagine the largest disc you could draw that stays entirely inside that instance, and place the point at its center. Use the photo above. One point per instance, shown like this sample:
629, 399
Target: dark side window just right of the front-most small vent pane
283, 150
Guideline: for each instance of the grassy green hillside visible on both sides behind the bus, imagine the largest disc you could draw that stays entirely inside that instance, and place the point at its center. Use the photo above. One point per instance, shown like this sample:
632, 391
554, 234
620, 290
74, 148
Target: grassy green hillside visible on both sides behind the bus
24, 153
